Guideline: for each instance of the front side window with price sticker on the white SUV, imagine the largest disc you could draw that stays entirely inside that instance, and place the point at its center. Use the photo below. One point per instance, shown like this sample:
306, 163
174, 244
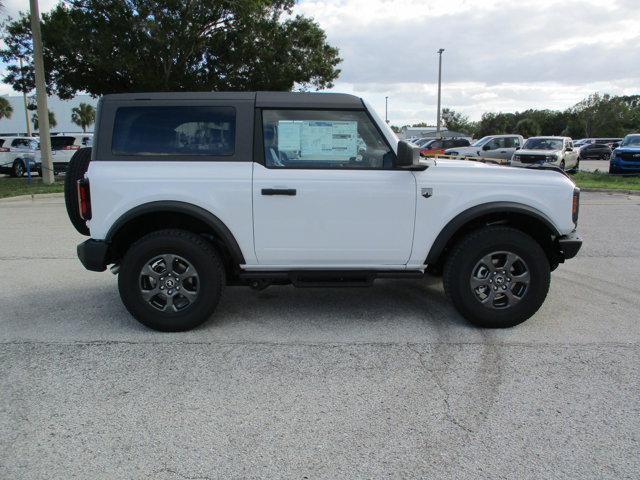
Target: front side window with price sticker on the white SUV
323, 139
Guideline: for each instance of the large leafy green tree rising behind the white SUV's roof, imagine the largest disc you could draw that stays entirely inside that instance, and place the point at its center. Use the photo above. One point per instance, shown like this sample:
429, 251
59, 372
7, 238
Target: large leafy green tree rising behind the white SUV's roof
107, 46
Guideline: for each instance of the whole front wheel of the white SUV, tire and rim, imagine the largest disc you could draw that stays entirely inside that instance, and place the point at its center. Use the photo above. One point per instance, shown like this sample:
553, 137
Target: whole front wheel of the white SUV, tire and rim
497, 277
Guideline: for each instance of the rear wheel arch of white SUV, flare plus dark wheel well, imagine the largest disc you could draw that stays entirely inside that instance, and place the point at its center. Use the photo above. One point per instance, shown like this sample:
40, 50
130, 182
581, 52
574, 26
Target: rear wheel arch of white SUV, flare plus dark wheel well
159, 215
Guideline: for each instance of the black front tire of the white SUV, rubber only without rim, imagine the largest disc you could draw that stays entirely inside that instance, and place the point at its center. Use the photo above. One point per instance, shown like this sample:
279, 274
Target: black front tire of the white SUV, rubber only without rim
465, 255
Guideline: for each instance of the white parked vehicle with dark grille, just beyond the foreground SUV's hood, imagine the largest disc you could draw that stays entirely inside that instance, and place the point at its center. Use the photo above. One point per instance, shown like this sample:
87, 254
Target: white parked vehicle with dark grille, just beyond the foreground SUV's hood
557, 151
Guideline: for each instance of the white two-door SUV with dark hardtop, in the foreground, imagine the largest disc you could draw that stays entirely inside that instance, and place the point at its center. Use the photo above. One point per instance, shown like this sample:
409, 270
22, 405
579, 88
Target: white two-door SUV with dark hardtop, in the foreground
186, 193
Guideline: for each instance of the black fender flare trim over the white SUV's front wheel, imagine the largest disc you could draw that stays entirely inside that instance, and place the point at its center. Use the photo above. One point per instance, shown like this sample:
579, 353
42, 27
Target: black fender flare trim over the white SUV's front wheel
479, 211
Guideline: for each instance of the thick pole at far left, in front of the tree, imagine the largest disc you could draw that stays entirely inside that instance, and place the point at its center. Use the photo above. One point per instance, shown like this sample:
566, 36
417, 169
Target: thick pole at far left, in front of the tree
41, 94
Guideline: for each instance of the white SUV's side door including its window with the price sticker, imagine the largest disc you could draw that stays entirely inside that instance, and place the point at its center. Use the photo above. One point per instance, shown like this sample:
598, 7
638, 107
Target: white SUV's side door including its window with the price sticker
326, 195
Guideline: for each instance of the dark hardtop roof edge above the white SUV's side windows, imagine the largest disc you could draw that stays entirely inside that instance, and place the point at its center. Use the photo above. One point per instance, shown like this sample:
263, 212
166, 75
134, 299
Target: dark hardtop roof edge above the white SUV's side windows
262, 99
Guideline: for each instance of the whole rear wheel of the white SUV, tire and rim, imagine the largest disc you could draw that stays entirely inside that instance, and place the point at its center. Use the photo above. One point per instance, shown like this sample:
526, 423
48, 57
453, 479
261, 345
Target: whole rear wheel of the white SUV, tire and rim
171, 280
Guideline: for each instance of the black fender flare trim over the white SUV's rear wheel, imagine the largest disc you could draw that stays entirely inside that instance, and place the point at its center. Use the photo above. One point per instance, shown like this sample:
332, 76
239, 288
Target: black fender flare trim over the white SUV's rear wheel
216, 225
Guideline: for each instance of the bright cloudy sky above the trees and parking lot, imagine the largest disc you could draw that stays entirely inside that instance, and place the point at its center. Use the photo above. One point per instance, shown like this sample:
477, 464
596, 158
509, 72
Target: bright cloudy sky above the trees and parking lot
500, 55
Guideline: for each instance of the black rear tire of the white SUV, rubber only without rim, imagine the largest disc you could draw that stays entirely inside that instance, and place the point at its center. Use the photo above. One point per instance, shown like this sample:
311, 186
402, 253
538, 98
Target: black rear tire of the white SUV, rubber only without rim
196, 250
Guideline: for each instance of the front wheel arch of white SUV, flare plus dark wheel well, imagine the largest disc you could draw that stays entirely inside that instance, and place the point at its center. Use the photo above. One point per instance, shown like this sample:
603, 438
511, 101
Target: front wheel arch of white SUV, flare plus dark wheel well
521, 216
